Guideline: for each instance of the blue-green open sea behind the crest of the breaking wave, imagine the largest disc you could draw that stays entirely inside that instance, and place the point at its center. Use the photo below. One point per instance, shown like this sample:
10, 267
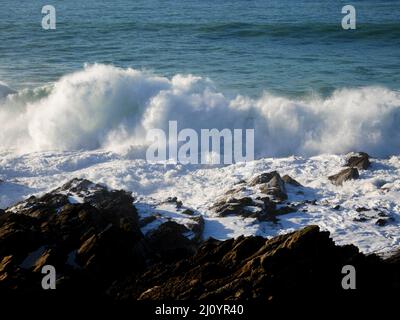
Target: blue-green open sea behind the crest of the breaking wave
287, 47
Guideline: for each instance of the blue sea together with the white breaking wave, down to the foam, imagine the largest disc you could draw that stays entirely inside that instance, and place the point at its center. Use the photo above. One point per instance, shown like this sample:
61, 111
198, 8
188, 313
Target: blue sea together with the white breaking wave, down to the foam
113, 69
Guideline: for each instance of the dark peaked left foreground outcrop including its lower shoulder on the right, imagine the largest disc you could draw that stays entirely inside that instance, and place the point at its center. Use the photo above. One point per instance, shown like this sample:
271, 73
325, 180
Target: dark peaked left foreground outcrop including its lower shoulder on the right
85, 231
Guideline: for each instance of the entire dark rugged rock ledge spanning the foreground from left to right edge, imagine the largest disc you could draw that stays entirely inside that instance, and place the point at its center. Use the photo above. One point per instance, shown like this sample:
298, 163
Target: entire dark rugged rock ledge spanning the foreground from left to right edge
93, 237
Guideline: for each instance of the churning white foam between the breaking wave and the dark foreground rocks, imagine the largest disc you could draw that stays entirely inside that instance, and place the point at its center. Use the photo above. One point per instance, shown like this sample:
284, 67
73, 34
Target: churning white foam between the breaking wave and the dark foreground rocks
199, 187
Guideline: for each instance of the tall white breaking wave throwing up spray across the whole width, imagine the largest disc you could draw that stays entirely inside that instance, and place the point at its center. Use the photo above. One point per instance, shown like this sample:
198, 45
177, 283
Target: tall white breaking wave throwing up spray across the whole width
107, 107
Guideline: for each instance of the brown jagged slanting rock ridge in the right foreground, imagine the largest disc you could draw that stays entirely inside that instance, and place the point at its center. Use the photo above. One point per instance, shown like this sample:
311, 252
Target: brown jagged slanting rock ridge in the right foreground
299, 265
